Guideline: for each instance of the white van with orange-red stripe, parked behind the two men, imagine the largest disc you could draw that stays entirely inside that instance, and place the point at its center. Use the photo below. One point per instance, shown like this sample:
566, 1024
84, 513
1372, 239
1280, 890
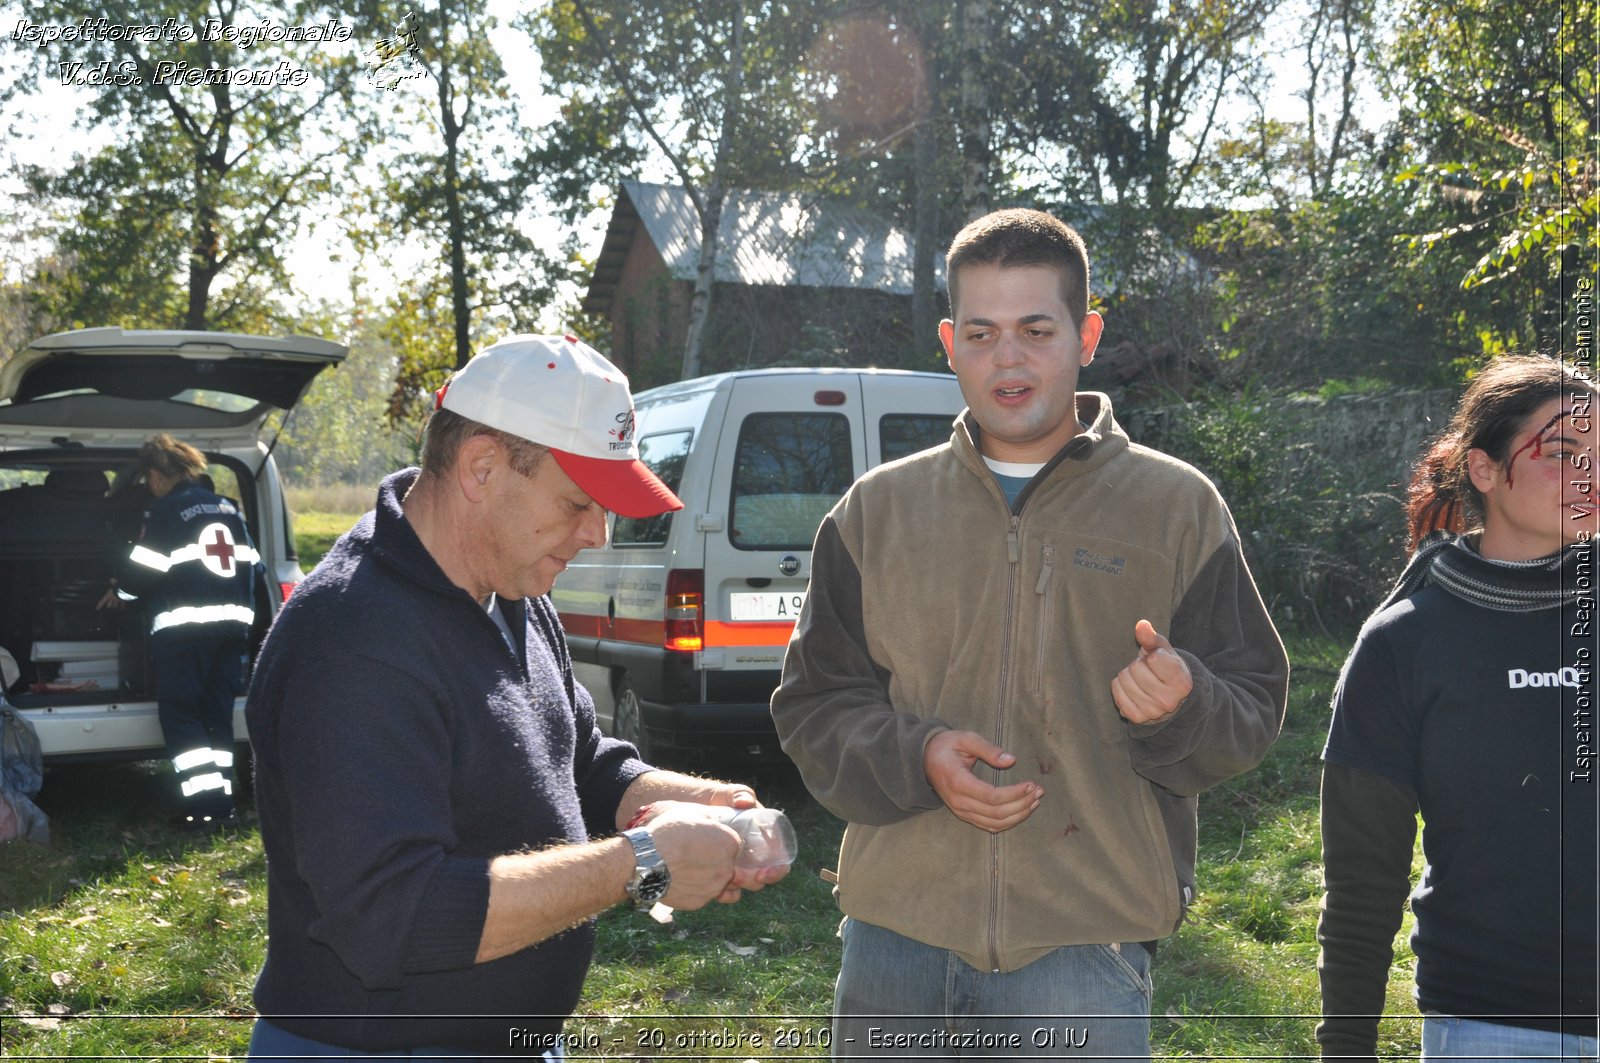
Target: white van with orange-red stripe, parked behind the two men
679, 625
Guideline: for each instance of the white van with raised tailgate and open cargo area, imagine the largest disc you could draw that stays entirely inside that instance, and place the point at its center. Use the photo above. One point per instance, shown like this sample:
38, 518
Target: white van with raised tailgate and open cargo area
74, 411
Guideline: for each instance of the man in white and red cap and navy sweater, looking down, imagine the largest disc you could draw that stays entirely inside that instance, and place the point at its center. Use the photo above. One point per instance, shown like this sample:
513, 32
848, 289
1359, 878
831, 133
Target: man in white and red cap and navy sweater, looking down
431, 780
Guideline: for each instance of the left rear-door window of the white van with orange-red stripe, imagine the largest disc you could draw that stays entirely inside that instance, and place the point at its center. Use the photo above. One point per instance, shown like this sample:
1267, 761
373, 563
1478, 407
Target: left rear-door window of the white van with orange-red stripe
788, 473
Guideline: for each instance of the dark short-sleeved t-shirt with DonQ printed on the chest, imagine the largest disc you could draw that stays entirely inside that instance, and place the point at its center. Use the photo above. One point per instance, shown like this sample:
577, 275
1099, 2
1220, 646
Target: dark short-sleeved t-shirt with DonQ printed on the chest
1489, 718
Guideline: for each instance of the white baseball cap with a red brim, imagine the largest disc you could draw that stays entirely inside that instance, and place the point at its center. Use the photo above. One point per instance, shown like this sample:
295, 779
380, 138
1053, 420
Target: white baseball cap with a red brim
561, 393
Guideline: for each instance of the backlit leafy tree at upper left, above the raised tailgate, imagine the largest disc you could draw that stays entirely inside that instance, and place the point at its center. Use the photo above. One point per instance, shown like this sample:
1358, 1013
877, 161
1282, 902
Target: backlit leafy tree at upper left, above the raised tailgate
185, 217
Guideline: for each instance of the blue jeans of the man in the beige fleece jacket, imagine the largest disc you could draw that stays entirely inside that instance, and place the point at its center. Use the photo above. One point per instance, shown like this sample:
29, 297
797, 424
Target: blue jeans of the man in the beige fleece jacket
902, 998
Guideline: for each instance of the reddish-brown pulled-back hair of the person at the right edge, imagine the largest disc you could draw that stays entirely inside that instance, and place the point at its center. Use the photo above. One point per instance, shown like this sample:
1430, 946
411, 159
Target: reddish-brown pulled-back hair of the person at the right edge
1498, 403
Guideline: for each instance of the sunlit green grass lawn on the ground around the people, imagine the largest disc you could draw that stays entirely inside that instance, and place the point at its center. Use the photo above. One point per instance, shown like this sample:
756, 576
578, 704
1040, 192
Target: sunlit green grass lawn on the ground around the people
122, 939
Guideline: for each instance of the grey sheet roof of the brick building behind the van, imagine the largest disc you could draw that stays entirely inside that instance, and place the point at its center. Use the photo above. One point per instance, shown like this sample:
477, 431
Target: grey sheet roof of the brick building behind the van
766, 239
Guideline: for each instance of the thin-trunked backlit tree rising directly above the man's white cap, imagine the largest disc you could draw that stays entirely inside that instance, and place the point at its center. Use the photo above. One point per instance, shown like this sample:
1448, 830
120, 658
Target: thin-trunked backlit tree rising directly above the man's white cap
457, 177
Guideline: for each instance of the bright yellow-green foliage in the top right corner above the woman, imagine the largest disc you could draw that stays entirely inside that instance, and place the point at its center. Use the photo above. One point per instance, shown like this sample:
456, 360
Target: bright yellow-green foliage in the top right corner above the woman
1505, 129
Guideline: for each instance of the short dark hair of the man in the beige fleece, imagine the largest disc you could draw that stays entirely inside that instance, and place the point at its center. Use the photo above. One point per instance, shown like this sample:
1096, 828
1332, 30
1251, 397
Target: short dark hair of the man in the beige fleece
1025, 238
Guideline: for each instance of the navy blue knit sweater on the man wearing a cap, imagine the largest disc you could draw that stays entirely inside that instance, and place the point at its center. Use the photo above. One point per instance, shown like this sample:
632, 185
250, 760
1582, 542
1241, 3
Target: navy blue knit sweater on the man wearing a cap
401, 745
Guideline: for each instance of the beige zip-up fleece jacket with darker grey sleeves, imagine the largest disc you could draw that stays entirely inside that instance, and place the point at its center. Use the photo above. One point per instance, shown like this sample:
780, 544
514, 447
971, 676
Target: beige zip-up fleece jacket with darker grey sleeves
934, 606
